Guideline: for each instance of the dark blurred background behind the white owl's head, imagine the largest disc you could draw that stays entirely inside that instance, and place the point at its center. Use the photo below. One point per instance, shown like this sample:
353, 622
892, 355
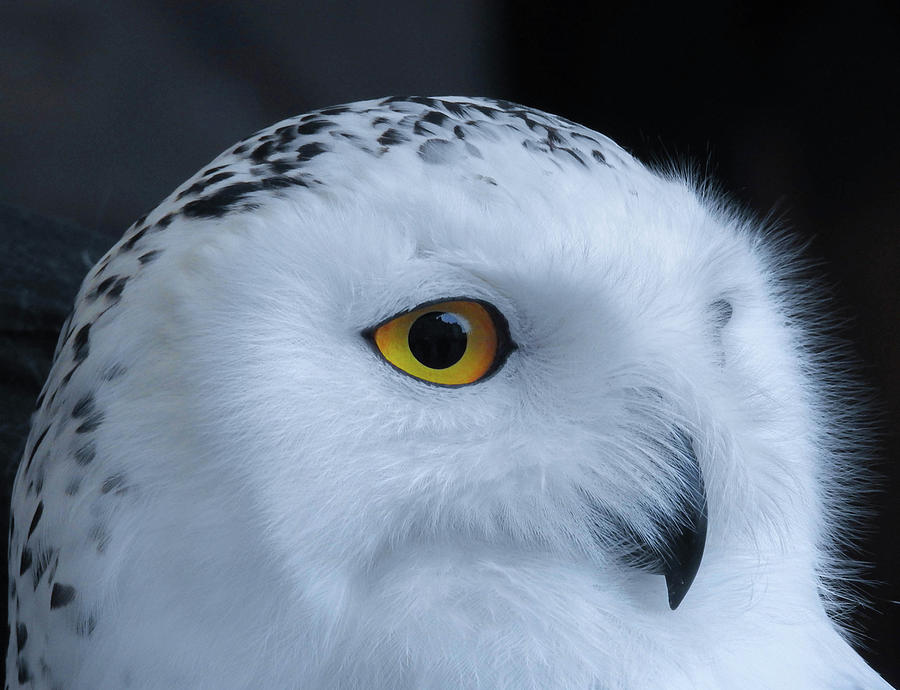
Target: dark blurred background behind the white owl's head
106, 106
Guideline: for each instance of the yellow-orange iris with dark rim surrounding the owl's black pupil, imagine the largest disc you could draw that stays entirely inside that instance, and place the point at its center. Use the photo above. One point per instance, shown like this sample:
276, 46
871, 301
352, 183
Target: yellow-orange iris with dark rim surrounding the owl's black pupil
488, 343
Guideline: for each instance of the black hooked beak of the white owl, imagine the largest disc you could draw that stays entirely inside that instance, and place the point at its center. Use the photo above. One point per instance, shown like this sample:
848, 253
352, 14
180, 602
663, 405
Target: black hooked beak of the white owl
682, 551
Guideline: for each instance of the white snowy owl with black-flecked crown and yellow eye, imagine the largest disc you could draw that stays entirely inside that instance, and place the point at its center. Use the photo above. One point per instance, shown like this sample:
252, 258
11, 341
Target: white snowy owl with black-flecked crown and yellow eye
437, 393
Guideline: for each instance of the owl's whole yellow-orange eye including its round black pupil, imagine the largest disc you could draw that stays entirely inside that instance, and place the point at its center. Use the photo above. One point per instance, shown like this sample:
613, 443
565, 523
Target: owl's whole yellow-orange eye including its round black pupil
450, 343
